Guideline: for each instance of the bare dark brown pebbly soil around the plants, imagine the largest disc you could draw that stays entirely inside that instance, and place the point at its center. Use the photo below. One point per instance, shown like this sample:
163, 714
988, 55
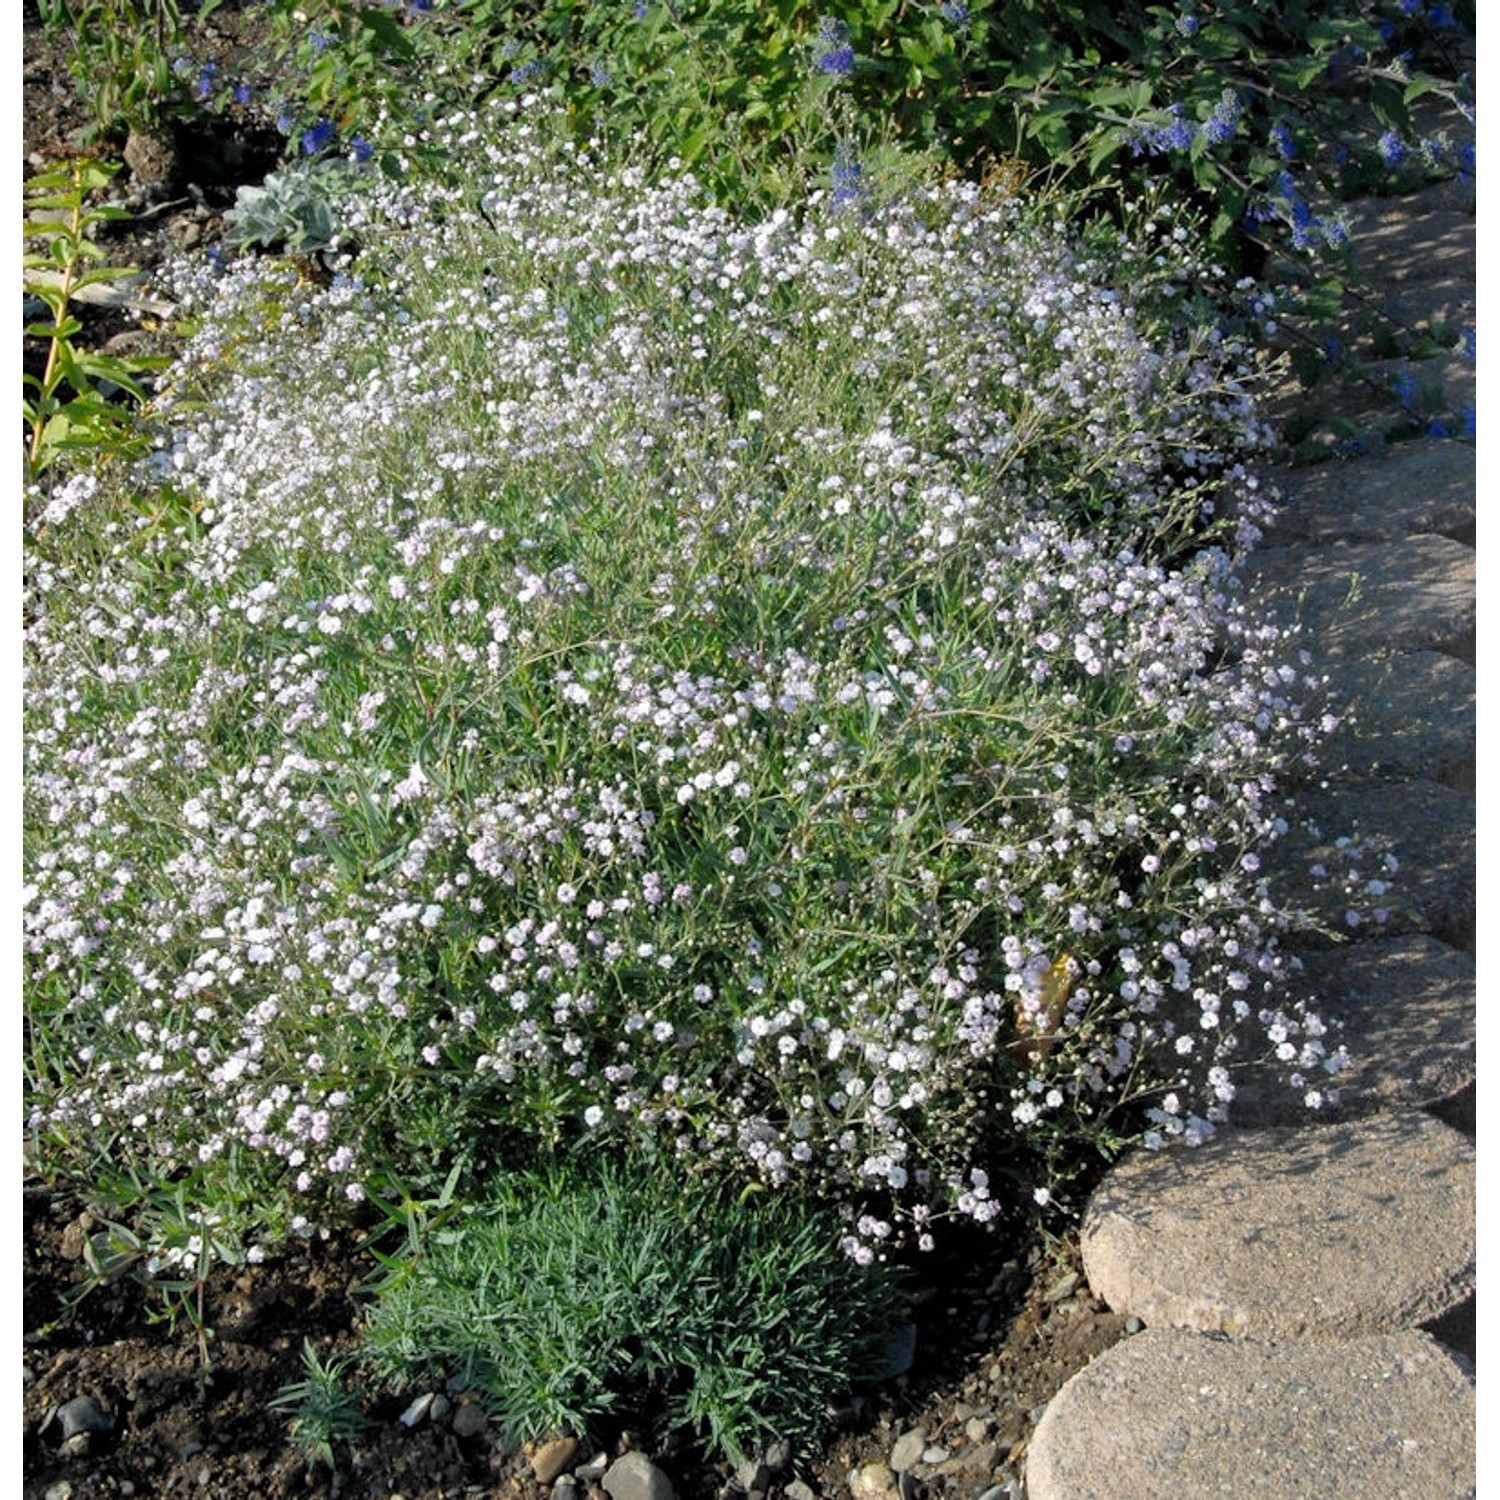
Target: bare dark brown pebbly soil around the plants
997, 1336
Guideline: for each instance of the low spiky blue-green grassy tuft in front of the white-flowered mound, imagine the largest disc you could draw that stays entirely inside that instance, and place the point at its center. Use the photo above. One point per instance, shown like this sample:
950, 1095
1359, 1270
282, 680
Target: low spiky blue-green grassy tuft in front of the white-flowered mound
577, 1295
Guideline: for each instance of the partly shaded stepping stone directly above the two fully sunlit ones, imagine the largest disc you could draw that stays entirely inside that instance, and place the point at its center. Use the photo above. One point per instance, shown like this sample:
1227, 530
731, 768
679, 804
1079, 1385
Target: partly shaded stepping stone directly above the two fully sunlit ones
1408, 1012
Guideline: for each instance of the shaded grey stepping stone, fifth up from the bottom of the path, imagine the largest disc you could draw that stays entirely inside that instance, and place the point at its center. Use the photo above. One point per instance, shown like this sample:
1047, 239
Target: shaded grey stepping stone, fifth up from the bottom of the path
1409, 716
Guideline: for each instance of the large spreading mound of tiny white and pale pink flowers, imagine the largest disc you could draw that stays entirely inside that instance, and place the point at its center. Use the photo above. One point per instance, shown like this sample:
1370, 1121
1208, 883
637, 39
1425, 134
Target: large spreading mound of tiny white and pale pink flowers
601, 674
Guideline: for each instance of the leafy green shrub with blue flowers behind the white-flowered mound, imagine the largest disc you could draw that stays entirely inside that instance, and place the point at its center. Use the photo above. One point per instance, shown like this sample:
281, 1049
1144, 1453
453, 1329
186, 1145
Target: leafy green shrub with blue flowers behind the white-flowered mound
1226, 100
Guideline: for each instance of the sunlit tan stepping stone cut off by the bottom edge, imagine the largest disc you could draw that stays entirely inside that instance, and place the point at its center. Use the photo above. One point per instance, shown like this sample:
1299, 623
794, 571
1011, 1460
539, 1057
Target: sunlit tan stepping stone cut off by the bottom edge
1192, 1417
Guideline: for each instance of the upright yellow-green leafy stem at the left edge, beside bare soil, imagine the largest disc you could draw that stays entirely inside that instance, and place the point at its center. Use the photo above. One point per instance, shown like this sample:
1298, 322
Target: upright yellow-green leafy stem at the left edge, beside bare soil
82, 401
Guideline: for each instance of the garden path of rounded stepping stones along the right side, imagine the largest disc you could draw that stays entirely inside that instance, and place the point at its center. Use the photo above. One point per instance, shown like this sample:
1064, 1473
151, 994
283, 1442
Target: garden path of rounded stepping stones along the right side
1304, 1292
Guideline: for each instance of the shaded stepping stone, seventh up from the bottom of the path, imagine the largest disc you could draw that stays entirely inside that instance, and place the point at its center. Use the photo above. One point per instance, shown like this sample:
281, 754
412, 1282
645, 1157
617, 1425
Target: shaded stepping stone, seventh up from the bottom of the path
1414, 490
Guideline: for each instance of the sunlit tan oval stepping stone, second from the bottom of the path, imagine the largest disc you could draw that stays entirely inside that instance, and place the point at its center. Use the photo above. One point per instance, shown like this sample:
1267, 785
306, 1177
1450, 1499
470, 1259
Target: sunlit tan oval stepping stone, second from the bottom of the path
1291, 1234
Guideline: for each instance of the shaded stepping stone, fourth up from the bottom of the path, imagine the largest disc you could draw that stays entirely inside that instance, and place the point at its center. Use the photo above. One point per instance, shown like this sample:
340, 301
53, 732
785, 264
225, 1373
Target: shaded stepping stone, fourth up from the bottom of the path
1429, 830
